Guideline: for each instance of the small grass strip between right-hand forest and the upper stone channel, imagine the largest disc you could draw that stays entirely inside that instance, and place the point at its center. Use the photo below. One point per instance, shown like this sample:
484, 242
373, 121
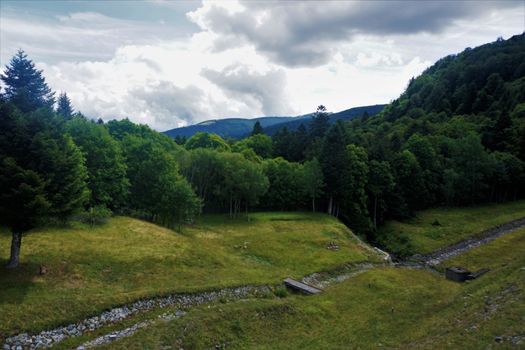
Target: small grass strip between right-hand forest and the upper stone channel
437, 228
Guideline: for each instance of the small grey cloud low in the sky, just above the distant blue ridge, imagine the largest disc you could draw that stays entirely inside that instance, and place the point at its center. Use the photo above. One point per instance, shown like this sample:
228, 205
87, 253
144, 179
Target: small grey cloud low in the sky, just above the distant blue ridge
264, 91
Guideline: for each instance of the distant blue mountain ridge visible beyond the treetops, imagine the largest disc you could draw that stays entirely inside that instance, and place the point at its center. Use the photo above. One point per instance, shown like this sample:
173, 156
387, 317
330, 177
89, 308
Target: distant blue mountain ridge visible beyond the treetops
241, 127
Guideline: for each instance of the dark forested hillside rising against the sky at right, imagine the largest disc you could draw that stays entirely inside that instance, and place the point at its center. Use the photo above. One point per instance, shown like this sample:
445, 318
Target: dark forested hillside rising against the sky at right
489, 79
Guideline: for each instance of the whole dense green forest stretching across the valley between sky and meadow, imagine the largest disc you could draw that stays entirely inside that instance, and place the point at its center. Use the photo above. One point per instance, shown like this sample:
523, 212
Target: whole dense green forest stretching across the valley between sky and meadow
456, 136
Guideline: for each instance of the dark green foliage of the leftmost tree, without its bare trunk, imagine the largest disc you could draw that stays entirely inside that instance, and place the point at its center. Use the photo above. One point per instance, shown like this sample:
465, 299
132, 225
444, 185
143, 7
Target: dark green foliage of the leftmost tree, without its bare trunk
39, 148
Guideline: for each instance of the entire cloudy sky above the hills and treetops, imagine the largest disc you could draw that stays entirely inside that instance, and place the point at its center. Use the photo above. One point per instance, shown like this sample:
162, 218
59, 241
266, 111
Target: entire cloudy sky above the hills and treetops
168, 63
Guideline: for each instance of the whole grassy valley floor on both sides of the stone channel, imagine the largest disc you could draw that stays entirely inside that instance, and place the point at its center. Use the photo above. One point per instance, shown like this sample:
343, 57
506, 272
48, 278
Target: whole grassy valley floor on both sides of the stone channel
381, 306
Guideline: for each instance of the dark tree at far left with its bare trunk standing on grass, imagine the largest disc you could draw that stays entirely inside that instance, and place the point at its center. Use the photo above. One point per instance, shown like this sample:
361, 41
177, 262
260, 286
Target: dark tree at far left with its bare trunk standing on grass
42, 173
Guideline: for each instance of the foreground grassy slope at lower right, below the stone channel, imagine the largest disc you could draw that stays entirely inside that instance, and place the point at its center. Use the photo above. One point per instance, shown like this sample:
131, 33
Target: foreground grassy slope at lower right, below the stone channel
388, 307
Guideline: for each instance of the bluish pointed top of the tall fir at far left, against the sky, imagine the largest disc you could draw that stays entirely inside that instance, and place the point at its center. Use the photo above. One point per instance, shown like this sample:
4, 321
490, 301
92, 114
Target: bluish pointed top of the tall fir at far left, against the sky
25, 87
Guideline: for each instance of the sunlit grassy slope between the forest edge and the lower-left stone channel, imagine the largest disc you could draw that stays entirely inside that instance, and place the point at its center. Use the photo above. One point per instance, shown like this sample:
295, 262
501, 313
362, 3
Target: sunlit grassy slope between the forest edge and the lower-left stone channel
126, 259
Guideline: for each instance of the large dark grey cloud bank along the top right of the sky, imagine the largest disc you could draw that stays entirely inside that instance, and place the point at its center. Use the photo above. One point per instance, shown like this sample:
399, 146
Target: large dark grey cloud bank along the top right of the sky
303, 33
